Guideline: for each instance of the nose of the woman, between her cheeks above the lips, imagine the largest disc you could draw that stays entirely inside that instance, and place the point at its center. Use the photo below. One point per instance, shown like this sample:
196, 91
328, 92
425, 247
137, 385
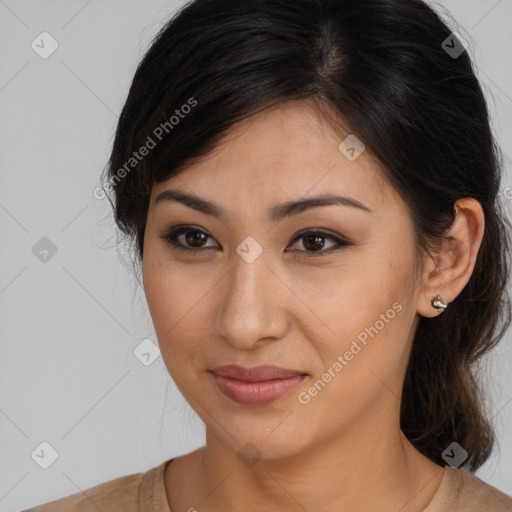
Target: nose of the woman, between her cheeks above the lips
252, 304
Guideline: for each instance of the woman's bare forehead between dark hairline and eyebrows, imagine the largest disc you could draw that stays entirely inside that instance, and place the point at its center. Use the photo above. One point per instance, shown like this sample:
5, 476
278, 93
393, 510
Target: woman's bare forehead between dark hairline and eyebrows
284, 152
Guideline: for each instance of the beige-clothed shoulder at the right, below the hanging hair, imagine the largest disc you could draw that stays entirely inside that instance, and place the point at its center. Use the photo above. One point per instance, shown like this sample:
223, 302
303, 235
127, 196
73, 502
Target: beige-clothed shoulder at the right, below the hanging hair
461, 490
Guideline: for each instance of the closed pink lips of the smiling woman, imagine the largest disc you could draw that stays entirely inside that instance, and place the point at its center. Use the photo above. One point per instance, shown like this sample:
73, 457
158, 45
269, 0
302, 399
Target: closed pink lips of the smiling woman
256, 386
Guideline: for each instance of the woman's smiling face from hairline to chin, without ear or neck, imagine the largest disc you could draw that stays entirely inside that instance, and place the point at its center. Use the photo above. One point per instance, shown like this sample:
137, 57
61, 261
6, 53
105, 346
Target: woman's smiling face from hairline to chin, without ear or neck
259, 290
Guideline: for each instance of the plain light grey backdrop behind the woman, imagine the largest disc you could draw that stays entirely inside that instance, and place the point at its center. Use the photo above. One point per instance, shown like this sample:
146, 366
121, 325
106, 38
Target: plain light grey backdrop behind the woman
74, 395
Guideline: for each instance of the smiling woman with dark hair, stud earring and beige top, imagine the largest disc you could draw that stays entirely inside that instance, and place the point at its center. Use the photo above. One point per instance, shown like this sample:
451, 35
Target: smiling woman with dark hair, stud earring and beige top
311, 188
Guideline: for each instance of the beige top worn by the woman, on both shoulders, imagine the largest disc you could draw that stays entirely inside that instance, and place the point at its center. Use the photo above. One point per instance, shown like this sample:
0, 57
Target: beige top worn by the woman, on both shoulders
459, 491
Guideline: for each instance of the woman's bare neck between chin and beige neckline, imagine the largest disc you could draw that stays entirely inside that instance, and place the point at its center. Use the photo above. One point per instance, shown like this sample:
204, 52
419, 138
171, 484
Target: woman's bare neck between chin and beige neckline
365, 470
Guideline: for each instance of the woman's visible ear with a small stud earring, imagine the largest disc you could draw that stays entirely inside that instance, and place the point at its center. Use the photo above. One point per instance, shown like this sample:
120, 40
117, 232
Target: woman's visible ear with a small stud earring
449, 270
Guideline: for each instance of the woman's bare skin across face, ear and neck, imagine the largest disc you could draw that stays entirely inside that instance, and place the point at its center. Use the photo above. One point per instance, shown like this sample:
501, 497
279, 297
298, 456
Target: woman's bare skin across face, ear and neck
343, 450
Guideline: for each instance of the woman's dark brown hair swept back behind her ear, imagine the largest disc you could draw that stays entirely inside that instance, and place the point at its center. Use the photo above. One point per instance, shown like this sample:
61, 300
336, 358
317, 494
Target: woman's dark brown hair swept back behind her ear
384, 66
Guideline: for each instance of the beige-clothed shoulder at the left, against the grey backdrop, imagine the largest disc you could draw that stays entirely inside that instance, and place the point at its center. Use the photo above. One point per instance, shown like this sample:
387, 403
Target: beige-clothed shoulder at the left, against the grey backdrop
121, 494
